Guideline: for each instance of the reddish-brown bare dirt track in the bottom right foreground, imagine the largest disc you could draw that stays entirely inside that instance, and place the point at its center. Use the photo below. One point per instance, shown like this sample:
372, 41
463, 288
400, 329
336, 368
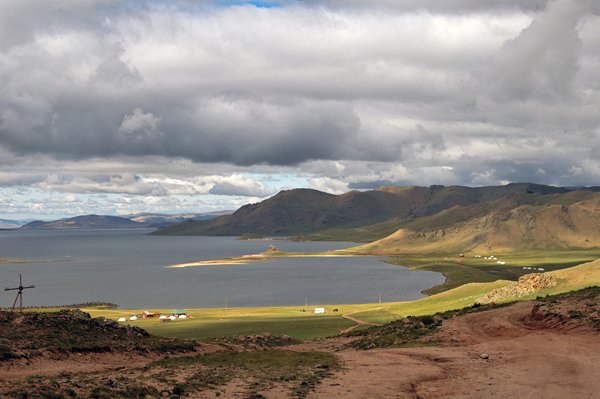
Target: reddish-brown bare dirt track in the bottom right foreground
527, 359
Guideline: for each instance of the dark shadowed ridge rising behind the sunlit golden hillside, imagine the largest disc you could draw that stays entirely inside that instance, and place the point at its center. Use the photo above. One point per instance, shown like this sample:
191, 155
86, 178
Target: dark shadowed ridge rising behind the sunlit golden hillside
304, 211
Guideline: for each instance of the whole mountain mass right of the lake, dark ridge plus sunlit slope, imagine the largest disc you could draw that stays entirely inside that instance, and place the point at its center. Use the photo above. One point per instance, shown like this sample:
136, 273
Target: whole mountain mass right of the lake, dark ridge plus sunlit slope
421, 219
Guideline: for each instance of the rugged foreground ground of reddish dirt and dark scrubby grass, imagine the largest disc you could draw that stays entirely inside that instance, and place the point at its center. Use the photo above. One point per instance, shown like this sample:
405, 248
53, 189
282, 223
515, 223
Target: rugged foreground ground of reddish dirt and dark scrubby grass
546, 348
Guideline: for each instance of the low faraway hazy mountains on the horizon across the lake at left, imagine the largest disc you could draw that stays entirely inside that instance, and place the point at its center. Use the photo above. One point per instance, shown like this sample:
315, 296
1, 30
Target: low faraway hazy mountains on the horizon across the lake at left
154, 220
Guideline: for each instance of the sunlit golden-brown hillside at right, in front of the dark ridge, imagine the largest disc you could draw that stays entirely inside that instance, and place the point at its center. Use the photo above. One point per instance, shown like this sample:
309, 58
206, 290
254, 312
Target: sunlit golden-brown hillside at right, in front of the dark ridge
524, 227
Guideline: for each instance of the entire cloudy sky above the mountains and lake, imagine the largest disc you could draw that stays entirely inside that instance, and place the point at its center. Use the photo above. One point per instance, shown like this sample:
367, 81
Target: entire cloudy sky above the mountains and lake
118, 107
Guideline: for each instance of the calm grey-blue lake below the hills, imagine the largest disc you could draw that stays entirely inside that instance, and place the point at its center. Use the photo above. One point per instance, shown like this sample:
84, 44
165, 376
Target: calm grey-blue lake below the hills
127, 267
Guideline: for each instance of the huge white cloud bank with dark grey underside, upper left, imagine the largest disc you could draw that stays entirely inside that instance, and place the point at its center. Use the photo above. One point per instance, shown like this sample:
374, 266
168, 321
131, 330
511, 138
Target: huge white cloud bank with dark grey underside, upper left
239, 85
